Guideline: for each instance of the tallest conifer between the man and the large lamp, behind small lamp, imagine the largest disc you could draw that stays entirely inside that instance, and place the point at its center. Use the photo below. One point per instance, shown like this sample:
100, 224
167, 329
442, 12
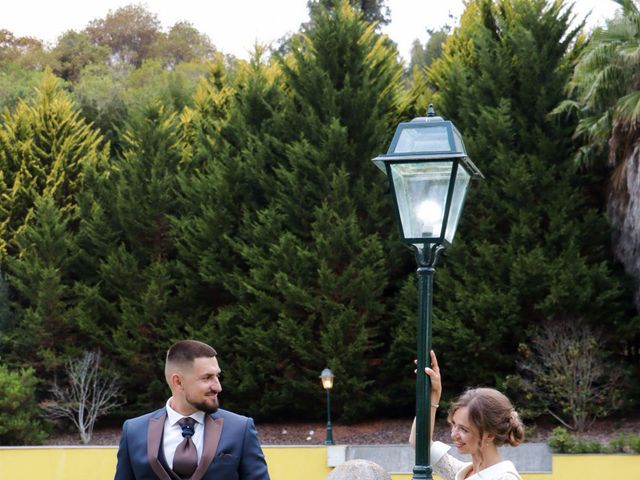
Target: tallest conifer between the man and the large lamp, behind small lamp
311, 294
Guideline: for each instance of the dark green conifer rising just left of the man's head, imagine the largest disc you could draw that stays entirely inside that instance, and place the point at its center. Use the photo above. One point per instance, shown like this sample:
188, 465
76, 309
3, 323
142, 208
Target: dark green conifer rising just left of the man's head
131, 298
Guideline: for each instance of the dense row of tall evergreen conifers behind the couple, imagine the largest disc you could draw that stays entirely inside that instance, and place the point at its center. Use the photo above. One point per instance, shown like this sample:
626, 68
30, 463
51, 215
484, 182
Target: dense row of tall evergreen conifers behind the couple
243, 209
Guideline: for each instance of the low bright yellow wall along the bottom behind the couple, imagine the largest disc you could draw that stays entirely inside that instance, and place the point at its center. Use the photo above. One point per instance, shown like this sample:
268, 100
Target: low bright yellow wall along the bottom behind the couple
285, 463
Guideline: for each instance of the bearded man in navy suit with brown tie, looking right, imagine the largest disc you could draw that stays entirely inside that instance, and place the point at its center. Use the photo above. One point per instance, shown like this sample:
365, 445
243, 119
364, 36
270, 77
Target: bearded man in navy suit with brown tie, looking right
164, 444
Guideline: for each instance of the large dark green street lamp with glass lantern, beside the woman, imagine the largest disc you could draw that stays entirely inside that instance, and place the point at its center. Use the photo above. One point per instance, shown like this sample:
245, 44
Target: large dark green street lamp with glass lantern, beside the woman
429, 173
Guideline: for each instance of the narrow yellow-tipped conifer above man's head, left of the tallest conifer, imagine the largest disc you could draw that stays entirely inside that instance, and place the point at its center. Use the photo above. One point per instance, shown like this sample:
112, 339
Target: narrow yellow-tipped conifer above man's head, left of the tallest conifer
230, 135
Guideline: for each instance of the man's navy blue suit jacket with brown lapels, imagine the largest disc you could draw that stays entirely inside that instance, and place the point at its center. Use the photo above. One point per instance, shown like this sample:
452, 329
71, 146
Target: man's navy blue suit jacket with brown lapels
231, 449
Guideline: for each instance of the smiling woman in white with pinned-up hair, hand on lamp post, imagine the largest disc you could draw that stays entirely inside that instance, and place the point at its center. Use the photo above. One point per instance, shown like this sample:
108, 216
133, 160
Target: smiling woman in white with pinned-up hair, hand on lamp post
481, 419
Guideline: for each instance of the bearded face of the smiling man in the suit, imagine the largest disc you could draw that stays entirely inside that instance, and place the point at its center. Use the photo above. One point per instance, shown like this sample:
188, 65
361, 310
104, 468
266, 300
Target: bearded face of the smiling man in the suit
202, 384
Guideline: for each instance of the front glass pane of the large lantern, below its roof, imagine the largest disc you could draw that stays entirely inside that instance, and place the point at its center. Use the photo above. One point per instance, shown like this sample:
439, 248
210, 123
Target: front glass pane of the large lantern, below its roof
421, 193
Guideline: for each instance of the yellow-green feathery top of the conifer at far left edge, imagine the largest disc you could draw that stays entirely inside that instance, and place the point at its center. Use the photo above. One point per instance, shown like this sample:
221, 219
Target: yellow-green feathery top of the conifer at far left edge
44, 144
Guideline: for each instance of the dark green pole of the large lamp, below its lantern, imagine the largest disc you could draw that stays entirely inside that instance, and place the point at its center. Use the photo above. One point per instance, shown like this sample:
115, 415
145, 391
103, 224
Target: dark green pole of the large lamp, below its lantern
426, 257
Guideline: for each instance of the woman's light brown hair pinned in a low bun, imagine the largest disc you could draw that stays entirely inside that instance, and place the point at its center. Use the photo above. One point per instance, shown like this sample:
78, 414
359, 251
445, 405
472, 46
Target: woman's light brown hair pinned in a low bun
491, 412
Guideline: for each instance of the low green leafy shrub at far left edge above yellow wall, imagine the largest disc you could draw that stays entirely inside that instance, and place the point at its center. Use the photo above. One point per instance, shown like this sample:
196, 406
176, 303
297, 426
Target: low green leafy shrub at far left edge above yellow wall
19, 411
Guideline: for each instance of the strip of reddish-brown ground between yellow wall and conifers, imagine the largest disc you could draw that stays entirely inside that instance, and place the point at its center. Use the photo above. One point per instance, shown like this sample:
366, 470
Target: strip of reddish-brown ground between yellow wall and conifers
394, 431
